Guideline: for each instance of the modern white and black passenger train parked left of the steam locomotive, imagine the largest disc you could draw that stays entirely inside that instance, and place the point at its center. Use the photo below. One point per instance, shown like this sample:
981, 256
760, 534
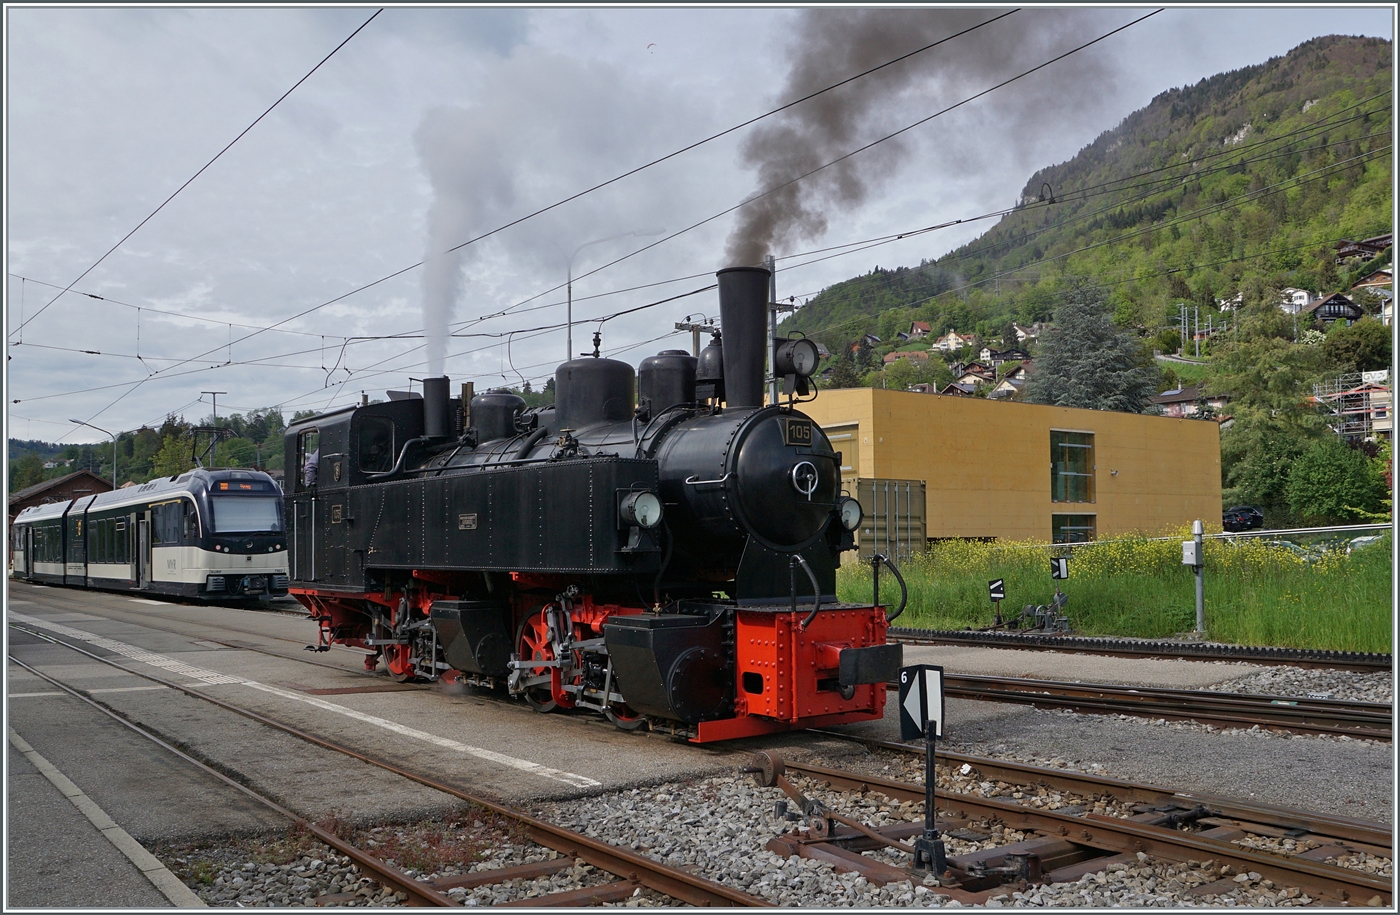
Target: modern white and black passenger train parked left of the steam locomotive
204, 534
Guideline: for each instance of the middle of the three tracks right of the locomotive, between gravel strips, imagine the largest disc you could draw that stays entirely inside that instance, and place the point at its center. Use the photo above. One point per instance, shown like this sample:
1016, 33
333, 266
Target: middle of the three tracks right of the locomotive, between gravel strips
1226, 710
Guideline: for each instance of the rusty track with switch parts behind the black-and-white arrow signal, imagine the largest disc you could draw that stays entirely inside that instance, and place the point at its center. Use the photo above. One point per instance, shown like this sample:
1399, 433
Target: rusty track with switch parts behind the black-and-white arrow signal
1065, 846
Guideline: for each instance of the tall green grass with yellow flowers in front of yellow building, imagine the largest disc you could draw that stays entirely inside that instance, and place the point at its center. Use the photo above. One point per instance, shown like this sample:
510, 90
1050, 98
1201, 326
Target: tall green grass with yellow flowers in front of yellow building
1256, 594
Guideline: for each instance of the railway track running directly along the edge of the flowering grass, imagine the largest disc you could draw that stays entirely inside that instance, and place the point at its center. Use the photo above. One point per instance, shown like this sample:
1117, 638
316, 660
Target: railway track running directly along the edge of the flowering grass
1149, 648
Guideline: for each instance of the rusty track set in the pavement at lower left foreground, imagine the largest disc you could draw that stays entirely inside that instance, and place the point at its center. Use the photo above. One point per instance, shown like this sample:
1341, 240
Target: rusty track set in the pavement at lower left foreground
632, 870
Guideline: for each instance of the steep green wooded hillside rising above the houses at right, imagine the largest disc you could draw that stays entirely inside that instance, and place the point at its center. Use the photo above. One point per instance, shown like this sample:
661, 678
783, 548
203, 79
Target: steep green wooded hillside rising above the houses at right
1237, 185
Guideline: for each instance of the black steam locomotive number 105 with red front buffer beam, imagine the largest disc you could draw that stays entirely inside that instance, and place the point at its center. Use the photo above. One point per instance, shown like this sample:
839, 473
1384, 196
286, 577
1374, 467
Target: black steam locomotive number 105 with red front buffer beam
667, 556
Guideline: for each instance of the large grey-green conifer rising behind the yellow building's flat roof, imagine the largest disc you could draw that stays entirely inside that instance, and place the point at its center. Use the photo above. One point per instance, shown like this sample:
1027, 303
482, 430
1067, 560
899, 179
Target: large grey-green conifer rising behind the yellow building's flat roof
1087, 362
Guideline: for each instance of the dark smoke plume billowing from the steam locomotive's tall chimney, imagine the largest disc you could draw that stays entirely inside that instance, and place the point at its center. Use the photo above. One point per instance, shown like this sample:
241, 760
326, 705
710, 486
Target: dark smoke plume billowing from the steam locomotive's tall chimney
831, 45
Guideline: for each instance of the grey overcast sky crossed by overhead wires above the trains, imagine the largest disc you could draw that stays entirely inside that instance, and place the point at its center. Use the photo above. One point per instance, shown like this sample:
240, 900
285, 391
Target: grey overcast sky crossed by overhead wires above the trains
435, 127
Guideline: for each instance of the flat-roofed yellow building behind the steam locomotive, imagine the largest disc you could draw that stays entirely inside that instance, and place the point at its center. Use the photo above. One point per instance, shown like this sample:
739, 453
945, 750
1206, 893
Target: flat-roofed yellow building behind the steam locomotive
1028, 472
